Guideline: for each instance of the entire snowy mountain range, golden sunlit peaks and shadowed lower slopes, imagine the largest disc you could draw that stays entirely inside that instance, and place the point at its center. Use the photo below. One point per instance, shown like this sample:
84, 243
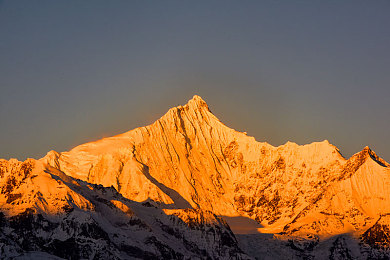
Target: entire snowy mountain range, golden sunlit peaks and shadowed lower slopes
186, 180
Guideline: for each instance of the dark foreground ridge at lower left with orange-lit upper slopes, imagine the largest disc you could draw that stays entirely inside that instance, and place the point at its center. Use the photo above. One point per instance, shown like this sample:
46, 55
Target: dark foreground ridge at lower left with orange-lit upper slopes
71, 219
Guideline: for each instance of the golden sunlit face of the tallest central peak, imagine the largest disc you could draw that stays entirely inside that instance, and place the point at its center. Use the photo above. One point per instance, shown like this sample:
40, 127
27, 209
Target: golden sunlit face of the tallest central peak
209, 165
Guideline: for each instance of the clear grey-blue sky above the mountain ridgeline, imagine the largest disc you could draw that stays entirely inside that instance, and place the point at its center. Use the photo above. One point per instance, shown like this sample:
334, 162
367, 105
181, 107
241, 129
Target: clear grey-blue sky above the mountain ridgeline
77, 71
